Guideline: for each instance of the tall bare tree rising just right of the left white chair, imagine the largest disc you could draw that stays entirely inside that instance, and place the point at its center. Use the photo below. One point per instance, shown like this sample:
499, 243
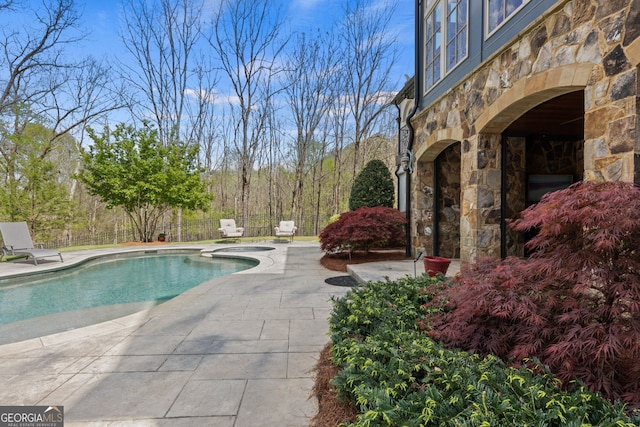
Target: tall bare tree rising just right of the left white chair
245, 39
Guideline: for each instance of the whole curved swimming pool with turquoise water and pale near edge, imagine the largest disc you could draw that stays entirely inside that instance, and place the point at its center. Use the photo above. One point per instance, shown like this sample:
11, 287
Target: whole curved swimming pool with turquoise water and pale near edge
103, 289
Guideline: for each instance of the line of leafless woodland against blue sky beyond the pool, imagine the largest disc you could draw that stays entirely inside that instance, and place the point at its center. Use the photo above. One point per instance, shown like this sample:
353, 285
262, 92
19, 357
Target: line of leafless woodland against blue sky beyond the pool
299, 115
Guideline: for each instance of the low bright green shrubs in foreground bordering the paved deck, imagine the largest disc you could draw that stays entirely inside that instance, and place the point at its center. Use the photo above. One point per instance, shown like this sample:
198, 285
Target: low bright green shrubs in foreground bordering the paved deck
400, 377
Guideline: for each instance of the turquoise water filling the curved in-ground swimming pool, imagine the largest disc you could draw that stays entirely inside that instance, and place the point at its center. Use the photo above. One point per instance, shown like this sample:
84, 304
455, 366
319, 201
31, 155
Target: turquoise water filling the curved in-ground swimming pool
111, 281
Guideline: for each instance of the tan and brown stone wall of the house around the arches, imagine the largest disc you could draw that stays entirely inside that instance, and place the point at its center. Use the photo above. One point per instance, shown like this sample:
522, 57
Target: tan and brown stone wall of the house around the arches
589, 45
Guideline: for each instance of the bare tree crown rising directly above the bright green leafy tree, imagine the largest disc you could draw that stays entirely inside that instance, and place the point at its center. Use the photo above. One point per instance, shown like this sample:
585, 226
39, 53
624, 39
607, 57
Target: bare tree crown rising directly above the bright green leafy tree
161, 36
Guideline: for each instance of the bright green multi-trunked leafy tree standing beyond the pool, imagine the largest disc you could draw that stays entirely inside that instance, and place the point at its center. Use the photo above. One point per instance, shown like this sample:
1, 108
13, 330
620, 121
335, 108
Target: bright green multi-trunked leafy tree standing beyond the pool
131, 168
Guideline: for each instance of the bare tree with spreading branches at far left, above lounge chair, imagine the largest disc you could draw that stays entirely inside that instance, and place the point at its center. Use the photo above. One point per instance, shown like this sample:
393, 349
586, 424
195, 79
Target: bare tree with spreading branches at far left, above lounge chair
40, 85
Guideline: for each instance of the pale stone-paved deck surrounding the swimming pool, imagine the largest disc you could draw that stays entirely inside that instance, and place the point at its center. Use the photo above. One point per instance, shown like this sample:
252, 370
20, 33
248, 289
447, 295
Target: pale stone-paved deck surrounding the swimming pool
235, 351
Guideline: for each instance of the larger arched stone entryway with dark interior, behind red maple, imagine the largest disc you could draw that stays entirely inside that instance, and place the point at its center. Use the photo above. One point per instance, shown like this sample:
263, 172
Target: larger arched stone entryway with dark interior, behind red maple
539, 129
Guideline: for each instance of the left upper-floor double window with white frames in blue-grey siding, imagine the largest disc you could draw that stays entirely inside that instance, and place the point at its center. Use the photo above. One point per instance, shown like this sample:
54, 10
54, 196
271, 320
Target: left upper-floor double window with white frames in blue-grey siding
454, 47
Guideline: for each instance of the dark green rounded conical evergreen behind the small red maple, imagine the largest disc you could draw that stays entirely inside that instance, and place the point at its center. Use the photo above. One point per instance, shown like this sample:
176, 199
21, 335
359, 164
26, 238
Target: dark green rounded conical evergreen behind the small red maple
373, 186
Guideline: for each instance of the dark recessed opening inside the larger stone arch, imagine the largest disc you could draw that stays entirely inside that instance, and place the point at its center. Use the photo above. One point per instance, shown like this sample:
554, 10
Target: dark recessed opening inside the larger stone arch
542, 151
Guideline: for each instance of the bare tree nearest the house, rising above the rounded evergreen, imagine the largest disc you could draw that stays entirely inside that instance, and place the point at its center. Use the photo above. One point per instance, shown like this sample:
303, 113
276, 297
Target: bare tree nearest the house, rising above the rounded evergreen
370, 52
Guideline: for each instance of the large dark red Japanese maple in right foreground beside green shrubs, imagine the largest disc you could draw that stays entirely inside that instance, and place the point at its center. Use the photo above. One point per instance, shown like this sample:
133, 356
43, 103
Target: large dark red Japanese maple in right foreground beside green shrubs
574, 303
